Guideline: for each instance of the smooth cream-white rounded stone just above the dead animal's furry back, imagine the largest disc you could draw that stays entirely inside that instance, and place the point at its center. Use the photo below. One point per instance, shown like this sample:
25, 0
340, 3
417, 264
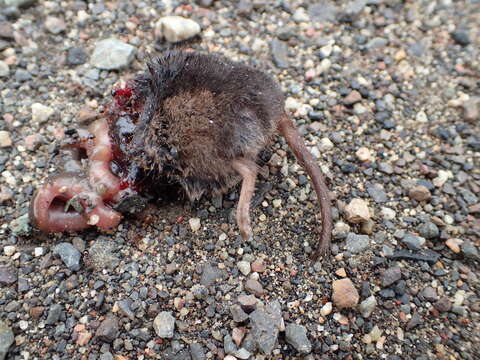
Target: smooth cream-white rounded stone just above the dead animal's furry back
176, 28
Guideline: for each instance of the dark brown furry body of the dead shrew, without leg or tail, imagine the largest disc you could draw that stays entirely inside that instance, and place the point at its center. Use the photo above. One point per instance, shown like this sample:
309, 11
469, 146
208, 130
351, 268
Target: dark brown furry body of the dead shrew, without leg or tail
200, 112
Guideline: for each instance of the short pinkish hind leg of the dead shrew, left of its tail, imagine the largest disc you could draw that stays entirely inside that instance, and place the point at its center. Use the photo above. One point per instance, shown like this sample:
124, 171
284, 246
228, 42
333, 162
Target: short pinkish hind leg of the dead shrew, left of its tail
248, 171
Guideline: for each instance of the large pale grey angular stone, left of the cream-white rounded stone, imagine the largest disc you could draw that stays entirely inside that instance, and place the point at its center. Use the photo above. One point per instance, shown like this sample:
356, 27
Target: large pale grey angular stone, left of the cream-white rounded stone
112, 54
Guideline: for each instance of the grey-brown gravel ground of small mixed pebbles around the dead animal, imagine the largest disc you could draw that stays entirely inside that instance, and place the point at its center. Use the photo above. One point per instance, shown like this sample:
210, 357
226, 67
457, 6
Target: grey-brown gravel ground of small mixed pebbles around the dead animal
386, 94
